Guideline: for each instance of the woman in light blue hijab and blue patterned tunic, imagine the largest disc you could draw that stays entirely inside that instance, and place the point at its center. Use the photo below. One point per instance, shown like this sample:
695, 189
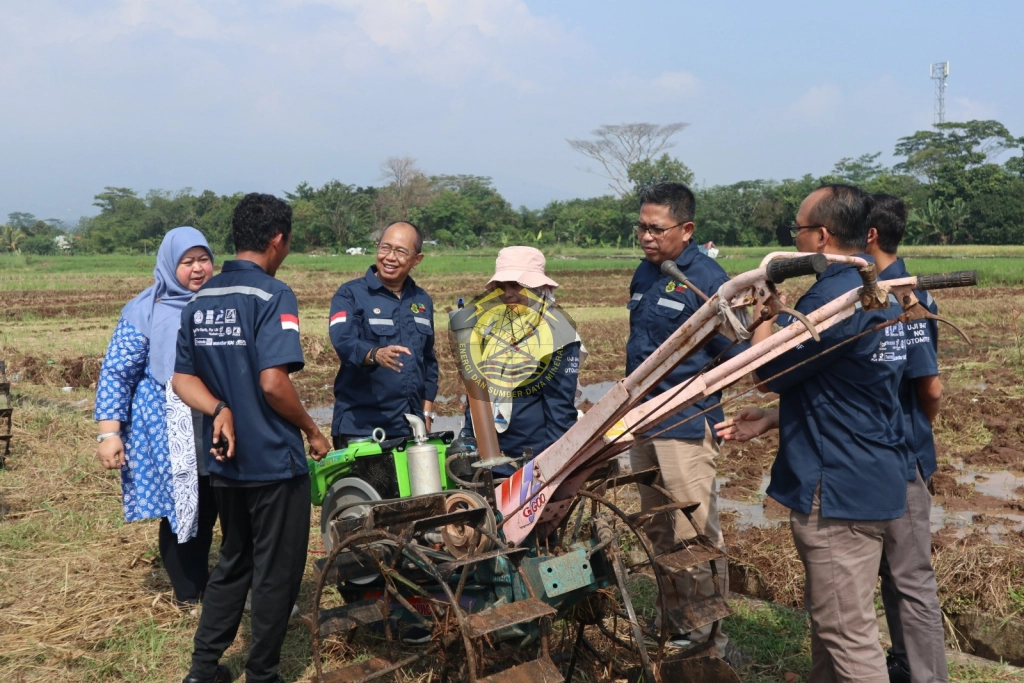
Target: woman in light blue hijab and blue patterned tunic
146, 431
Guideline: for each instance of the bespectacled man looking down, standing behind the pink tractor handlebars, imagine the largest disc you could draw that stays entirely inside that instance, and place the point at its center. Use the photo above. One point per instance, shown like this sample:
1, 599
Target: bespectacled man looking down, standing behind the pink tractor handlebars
686, 454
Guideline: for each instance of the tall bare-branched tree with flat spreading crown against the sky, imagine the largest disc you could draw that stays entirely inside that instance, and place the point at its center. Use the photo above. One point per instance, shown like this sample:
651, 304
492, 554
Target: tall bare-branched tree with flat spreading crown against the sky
617, 148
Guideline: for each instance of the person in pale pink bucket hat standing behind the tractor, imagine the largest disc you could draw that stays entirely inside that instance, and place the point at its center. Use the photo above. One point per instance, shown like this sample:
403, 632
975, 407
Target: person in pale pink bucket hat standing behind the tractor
537, 408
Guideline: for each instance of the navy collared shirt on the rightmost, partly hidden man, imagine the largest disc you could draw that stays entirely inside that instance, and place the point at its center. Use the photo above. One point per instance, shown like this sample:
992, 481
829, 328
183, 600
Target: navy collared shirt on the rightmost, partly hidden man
922, 361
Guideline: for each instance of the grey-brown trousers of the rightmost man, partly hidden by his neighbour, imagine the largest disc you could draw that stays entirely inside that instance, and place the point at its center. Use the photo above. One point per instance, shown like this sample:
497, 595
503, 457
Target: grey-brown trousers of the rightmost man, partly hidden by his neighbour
910, 591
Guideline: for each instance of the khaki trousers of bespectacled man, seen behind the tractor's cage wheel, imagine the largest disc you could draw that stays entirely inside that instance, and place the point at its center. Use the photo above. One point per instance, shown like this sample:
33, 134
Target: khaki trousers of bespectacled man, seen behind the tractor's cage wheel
689, 474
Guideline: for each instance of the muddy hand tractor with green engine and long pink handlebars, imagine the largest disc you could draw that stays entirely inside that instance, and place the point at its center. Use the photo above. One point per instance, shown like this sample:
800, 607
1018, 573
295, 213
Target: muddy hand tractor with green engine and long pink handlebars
442, 571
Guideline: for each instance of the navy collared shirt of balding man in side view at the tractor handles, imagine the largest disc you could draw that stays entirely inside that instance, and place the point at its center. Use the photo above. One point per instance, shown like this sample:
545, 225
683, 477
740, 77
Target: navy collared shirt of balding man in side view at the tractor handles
840, 418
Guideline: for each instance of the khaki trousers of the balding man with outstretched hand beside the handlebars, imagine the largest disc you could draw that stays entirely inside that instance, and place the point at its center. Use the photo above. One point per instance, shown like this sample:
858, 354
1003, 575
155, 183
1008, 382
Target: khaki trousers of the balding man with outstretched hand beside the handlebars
841, 560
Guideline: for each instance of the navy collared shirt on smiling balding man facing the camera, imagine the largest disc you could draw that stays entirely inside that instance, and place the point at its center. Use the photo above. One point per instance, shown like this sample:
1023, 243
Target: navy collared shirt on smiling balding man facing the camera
365, 315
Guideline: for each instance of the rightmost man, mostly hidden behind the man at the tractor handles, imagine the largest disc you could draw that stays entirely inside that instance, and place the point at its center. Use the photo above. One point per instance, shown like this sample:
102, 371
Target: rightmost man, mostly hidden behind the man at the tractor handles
909, 587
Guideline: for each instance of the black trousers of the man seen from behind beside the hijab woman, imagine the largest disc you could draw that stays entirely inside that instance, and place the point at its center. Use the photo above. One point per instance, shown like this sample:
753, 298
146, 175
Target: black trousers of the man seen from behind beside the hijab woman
267, 531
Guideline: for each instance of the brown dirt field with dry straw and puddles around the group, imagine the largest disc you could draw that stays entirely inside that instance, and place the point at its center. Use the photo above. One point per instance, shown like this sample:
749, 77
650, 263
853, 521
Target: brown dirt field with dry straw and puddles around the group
83, 600
